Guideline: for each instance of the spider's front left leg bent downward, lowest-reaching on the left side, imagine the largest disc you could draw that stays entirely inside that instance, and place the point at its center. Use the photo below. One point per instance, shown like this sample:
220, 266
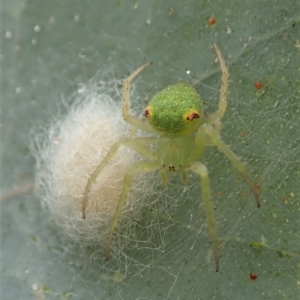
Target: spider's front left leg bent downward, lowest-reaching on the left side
138, 167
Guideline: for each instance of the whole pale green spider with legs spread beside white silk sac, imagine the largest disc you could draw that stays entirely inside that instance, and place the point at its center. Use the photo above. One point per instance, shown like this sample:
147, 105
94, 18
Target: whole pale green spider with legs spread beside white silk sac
181, 132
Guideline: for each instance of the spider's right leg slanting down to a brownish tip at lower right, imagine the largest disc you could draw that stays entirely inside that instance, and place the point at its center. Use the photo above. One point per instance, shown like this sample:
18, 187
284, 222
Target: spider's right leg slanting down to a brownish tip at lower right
215, 139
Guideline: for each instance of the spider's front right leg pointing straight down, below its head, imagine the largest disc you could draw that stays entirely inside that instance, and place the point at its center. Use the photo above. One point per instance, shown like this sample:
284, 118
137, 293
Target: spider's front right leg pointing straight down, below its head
200, 169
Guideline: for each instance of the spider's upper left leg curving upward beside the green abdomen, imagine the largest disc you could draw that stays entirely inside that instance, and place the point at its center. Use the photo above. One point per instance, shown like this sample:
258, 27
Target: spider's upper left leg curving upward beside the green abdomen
137, 123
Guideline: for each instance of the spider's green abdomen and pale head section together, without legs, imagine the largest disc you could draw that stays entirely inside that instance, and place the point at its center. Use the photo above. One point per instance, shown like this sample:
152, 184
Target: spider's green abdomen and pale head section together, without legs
169, 113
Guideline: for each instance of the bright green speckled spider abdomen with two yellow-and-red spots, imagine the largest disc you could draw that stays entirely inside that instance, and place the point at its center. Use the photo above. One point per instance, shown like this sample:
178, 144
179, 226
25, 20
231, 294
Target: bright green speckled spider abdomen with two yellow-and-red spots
175, 110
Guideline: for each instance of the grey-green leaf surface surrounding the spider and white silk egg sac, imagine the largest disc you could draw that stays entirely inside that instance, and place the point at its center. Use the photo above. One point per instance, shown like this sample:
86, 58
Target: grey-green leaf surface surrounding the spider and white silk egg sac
50, 47
